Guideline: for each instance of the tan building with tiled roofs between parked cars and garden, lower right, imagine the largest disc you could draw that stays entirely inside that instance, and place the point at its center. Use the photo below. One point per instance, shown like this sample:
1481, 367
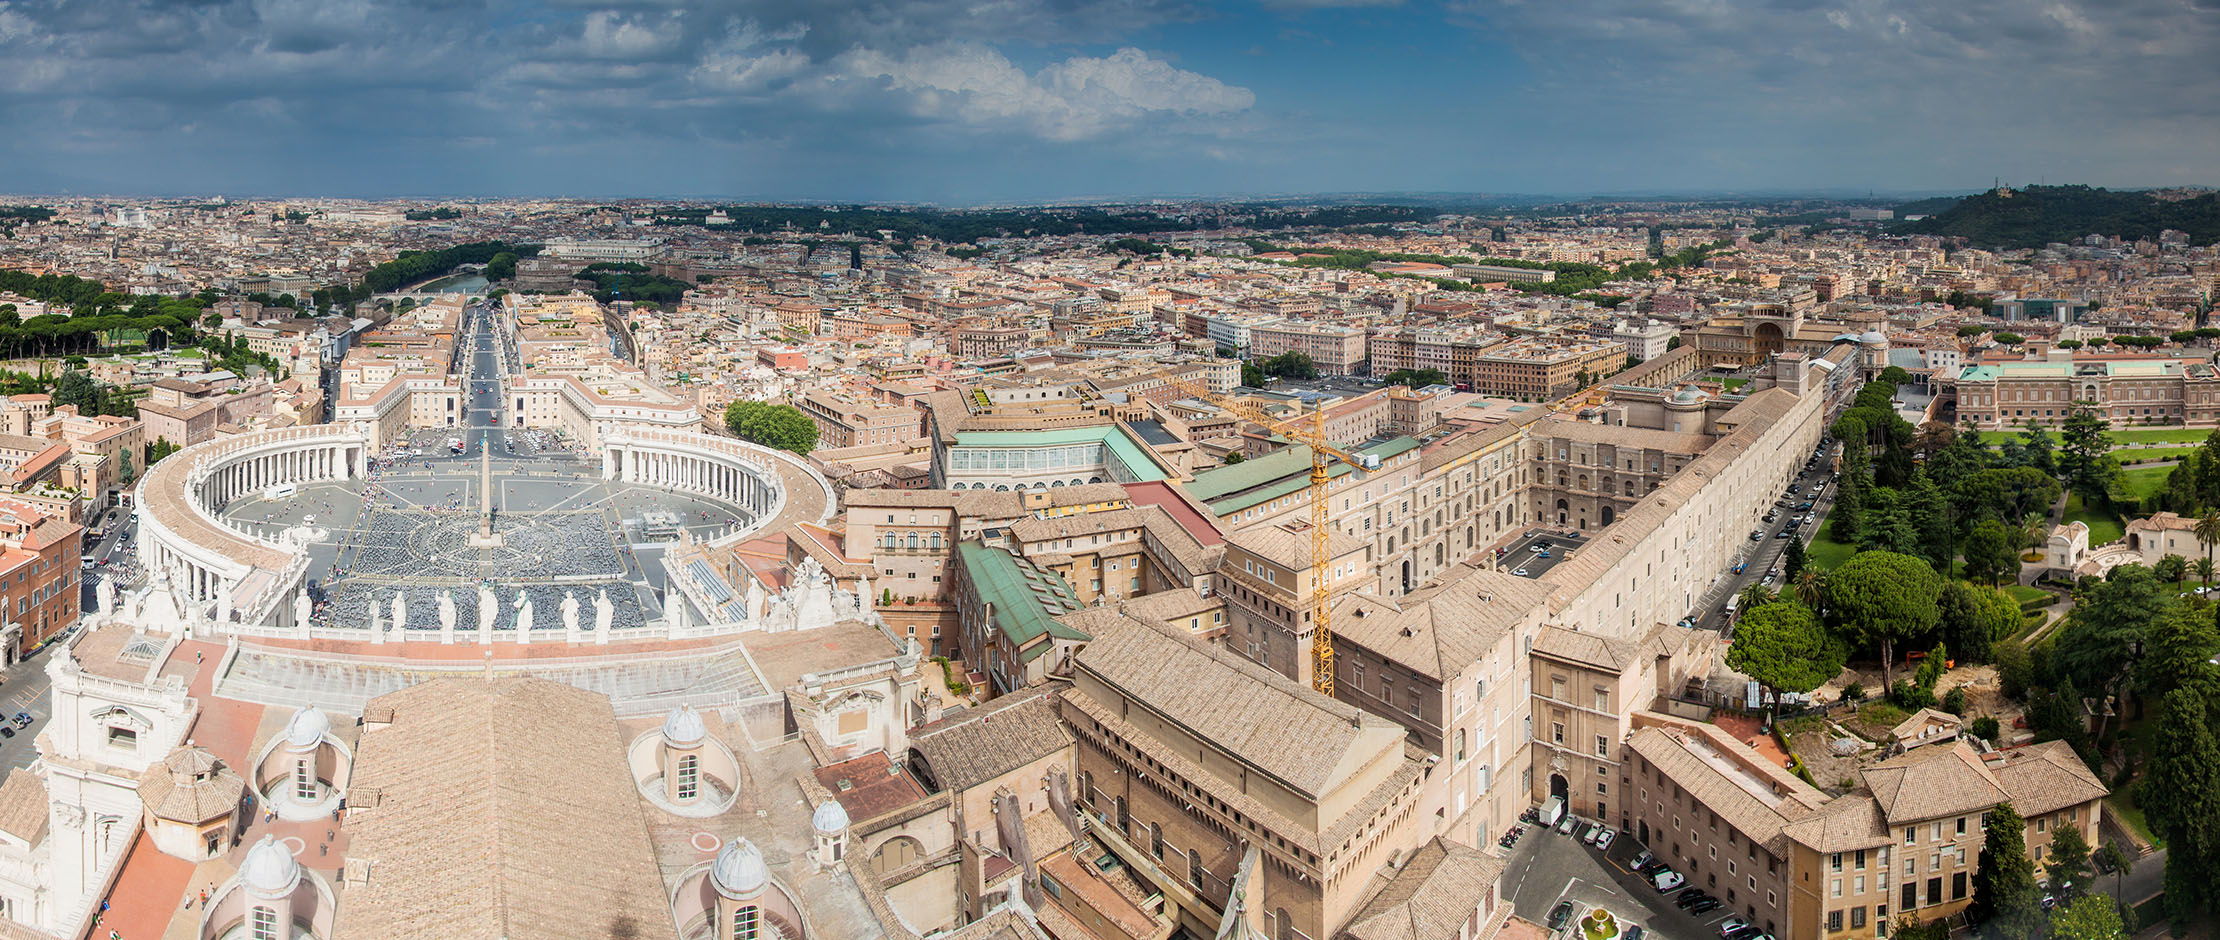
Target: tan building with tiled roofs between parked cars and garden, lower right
1815, 868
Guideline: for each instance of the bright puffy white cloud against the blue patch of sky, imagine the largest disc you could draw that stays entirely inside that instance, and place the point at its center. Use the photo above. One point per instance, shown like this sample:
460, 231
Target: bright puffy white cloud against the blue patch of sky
1067, 101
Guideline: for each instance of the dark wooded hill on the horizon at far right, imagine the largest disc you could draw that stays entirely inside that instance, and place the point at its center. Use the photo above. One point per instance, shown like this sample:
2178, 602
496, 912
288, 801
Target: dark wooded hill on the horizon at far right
2035, 217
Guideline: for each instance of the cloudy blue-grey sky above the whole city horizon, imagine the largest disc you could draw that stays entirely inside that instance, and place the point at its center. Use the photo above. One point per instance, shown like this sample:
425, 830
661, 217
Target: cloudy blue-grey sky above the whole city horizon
989, 101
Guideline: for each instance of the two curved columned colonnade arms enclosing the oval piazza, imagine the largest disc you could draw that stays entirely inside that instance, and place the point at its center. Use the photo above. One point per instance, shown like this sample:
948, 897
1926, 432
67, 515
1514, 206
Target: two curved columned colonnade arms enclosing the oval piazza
241, 583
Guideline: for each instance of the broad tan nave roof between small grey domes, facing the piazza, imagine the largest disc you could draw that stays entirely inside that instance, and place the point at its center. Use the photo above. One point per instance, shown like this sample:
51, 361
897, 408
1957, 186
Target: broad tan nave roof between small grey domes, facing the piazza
498, 810
